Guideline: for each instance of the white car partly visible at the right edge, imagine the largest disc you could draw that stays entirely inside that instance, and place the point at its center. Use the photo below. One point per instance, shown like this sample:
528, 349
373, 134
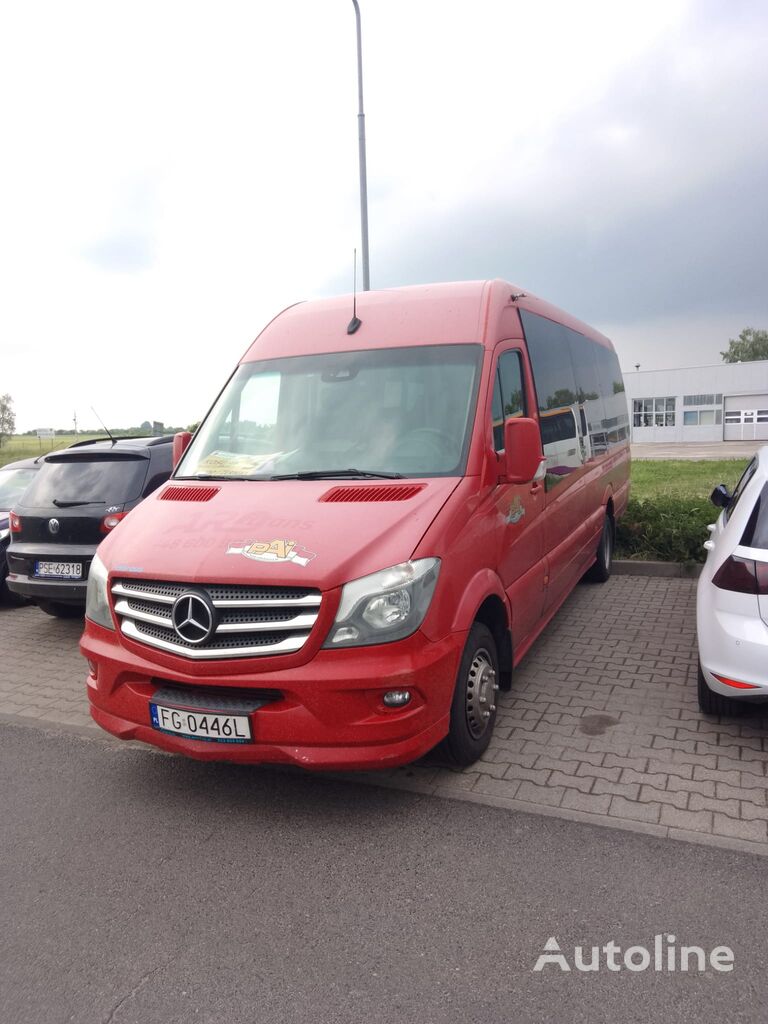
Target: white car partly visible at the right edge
733, 598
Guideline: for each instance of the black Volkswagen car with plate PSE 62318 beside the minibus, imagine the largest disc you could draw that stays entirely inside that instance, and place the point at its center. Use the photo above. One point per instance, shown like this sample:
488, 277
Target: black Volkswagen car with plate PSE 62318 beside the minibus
78, 496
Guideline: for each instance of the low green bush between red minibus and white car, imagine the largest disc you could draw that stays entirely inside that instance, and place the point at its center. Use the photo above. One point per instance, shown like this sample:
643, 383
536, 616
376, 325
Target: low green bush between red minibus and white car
665, 529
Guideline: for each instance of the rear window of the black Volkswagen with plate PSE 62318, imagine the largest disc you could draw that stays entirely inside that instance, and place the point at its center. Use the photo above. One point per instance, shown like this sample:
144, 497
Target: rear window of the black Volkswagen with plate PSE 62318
88, 482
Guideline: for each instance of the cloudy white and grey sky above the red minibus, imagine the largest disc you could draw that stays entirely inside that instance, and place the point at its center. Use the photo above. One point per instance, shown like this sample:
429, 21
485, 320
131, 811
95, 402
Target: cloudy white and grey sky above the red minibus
174, 175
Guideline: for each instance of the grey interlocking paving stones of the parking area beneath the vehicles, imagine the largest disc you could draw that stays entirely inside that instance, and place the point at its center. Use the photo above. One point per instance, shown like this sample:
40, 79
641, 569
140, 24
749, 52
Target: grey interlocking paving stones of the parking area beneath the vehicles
602, 724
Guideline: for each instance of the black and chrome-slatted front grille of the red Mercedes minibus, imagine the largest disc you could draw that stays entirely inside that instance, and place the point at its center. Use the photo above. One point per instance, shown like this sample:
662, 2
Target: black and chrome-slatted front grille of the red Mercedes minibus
251, 622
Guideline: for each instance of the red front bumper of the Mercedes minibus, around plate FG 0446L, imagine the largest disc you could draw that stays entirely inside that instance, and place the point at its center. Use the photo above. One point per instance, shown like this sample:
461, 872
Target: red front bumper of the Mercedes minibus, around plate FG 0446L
330, 714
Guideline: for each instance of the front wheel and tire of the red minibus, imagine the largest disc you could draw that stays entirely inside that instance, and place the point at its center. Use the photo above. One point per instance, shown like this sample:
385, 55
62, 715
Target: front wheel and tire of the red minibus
474, 708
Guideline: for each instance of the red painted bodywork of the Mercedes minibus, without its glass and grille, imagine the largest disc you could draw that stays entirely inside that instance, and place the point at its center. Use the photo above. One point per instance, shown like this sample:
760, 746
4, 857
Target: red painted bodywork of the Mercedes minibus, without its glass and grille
509, 554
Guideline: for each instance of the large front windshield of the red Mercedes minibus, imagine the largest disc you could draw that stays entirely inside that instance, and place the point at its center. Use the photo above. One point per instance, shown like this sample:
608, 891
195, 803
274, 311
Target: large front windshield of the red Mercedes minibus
404, 412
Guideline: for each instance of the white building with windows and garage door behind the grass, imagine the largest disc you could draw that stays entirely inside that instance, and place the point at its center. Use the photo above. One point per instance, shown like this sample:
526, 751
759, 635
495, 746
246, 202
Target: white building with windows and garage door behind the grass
726, 402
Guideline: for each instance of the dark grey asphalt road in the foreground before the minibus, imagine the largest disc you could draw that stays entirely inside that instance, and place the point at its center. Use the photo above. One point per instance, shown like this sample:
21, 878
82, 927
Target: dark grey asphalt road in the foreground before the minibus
143, 888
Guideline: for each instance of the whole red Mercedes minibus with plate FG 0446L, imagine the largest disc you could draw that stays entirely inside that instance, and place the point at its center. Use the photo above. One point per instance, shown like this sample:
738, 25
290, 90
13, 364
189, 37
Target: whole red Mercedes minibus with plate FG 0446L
377, 518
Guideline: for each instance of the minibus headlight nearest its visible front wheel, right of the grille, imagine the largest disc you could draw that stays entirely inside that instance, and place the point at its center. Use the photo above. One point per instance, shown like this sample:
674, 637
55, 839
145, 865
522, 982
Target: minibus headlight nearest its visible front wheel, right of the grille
385, 607
